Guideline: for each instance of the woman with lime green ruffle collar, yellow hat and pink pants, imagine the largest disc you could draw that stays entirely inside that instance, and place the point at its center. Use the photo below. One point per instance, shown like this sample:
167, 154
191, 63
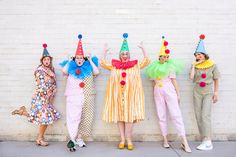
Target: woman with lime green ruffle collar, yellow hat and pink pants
166, 93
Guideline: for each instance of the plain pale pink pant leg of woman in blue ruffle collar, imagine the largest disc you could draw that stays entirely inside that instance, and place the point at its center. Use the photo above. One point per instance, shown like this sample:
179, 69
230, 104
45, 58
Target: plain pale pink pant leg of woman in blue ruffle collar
74, 105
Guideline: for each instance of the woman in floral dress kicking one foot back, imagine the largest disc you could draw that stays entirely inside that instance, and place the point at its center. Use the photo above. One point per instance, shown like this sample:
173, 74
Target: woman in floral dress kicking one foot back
42, 111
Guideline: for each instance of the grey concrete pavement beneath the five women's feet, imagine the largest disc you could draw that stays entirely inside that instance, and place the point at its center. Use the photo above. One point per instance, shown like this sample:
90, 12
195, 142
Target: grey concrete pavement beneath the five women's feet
109, 149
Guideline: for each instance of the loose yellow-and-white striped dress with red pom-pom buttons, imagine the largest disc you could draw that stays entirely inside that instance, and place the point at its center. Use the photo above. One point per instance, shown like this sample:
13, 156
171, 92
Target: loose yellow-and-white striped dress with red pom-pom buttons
124, 102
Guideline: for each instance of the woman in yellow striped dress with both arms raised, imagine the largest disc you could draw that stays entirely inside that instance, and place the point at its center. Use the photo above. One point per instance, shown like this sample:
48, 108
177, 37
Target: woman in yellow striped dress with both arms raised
124, 101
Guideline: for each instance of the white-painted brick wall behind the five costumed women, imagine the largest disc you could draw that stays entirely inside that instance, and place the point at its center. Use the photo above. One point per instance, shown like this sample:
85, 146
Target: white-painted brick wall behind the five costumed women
26, 24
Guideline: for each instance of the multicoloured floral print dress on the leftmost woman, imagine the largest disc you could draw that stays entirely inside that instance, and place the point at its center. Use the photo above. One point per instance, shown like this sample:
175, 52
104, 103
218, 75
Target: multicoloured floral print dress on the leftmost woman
42, 111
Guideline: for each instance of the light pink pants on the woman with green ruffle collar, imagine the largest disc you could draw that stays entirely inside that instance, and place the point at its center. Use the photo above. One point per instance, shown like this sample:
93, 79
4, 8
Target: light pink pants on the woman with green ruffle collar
166, 100
